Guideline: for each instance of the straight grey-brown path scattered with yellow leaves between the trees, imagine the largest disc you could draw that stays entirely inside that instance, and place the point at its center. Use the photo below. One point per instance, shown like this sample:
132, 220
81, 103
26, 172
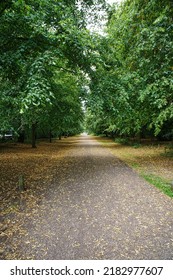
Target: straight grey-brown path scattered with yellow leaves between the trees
99, 208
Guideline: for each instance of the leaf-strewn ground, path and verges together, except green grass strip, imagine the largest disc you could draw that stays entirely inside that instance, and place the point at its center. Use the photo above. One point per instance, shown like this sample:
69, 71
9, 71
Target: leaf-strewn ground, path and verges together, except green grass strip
81, 202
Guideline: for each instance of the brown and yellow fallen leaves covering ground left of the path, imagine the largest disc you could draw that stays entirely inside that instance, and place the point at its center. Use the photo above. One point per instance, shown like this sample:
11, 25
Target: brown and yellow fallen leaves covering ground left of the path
17, 207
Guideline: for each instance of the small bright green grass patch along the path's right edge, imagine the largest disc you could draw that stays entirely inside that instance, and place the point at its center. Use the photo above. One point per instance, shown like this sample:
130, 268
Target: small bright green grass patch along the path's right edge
160, 183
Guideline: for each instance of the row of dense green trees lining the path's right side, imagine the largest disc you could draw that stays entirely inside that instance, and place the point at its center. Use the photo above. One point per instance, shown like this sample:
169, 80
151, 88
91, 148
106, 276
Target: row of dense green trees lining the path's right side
131, 89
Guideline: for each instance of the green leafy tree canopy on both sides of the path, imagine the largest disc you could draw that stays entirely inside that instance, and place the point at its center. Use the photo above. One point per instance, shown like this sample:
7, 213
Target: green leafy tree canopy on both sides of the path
50, 63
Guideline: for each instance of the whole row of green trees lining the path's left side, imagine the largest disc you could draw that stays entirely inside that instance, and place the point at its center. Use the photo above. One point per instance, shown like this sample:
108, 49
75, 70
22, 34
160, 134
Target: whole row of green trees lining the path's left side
45, 53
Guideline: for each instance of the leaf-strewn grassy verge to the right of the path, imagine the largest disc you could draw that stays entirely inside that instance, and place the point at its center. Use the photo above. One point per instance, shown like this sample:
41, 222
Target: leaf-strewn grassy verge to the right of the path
153, 161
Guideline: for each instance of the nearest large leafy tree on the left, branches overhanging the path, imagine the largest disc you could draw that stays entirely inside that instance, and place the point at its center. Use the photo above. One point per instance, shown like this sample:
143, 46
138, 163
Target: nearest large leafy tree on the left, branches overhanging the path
35, 37
